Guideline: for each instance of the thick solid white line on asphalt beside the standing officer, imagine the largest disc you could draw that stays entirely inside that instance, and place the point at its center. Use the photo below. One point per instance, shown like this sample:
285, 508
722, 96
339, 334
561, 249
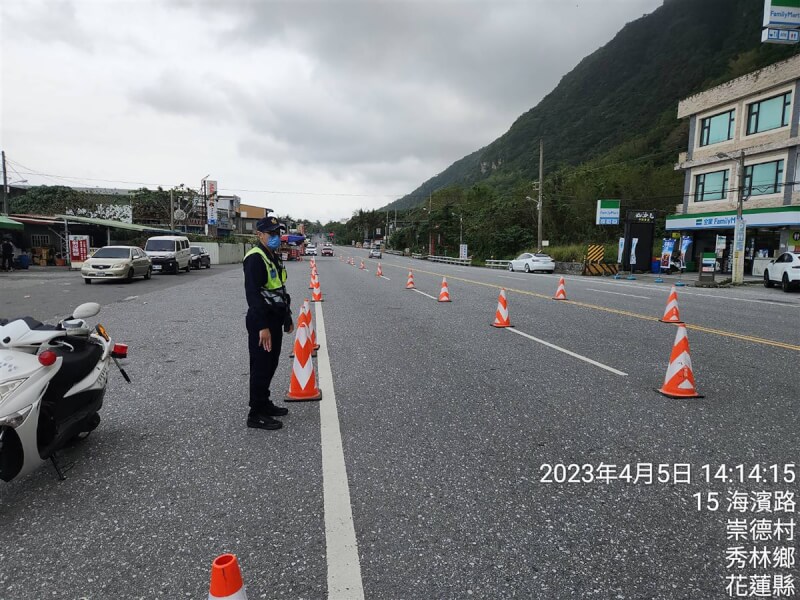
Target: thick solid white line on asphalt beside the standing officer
344, 568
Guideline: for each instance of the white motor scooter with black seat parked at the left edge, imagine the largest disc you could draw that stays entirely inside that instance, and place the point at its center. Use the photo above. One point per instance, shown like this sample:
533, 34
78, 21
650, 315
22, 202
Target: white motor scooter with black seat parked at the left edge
52, 382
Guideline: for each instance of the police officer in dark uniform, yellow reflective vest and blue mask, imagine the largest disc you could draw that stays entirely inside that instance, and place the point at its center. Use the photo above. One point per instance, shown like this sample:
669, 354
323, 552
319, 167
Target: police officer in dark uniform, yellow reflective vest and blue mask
268, 316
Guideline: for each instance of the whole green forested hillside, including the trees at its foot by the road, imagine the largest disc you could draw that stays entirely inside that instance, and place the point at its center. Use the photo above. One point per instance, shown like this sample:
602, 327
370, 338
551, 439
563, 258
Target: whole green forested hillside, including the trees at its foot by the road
609, 128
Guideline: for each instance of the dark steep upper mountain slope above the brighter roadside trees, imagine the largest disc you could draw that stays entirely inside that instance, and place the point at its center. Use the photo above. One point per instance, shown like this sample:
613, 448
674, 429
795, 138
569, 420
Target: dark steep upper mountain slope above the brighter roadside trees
619, 103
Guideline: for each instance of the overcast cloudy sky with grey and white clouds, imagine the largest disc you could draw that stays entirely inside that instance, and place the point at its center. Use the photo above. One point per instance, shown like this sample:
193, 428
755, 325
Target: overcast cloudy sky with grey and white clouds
315, 109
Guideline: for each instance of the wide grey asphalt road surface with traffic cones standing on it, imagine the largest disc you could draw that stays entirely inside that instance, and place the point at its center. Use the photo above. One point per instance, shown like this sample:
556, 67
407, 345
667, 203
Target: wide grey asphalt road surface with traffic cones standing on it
445, 426
